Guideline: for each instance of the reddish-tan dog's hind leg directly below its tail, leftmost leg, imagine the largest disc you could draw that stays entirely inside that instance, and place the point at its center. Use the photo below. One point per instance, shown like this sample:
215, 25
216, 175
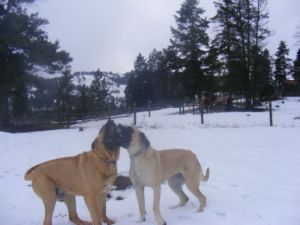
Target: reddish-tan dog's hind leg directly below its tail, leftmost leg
45, 189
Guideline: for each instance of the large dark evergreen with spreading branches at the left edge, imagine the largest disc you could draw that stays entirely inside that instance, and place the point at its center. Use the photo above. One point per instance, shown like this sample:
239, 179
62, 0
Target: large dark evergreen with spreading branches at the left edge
24, 49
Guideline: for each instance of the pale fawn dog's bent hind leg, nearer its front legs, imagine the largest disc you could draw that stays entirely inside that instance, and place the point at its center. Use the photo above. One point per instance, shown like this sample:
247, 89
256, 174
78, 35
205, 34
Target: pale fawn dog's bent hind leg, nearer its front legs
176, 182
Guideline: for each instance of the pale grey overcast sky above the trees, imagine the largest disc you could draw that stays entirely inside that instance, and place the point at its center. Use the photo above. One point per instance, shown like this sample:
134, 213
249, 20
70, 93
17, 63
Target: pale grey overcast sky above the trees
109, 34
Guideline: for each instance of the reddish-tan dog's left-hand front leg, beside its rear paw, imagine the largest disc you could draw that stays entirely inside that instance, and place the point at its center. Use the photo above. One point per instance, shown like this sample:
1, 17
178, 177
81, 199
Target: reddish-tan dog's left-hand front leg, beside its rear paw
94, 209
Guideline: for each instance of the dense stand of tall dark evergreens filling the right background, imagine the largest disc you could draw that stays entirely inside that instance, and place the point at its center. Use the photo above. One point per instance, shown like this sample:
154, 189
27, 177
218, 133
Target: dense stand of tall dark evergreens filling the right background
235, 61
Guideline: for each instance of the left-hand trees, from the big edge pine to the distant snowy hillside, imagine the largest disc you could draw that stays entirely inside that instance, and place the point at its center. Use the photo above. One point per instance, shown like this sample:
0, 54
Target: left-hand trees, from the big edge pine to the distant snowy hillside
25, 54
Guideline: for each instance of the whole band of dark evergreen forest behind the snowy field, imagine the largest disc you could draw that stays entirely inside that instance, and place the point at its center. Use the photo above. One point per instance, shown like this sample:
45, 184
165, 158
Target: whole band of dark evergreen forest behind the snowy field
234, 61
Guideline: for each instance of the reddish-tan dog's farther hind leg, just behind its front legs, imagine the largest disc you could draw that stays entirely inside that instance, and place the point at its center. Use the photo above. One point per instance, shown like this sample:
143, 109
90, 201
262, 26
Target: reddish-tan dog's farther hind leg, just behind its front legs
70, 202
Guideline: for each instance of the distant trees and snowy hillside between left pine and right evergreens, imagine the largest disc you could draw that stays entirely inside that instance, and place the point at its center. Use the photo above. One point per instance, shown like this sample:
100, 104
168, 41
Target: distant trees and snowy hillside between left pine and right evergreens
74, 95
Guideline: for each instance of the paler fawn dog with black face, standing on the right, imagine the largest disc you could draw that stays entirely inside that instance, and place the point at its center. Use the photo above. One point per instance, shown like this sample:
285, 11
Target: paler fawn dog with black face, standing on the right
149, 167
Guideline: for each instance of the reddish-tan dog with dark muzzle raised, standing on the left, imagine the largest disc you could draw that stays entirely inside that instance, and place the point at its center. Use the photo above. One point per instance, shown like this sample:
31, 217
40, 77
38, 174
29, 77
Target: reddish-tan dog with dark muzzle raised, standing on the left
88, 174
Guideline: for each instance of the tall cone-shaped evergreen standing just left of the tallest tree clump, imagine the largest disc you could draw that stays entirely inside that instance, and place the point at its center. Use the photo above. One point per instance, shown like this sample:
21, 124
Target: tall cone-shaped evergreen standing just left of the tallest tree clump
190, 42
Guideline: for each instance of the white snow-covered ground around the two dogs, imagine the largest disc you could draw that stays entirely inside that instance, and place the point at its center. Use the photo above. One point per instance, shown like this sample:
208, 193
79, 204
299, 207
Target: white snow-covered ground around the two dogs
254, 168
